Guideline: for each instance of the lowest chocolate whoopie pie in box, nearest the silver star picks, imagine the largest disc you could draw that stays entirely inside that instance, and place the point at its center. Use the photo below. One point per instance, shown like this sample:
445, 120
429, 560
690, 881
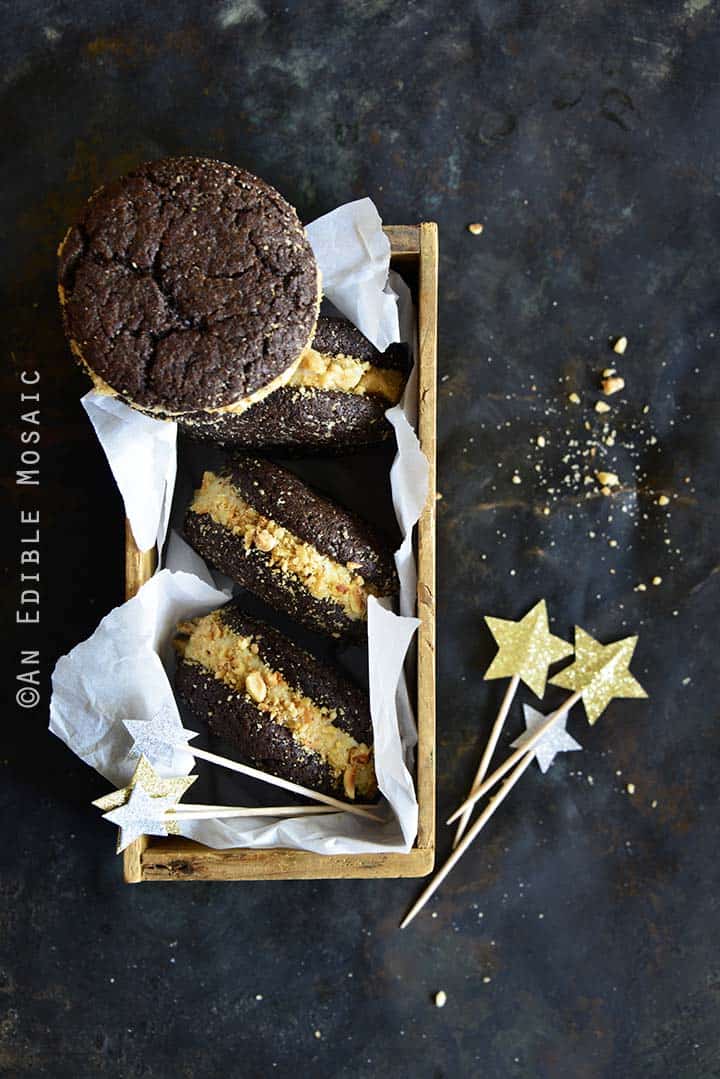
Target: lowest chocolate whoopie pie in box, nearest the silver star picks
286, 712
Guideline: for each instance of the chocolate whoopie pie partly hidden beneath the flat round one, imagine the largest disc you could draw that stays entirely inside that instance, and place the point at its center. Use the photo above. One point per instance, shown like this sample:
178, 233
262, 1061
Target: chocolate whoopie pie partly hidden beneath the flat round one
336, 400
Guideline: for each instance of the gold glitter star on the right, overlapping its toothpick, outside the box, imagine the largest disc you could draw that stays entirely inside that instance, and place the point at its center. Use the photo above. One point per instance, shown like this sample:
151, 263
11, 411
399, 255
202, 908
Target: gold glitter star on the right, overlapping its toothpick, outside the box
601, 672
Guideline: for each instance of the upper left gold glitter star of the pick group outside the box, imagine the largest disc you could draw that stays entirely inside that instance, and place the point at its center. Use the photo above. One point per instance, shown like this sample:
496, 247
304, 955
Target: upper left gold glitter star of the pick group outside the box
526, 649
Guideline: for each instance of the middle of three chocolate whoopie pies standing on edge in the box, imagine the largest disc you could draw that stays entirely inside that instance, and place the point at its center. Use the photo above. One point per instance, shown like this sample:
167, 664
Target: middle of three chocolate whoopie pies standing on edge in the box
303, 554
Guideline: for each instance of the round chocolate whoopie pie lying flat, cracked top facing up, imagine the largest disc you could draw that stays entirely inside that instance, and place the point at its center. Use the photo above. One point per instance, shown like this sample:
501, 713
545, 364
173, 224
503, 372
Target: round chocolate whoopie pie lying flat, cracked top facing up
188, 284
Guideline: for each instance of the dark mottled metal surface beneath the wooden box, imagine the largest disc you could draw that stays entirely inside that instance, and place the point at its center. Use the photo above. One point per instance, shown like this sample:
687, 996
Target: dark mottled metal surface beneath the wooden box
586, 136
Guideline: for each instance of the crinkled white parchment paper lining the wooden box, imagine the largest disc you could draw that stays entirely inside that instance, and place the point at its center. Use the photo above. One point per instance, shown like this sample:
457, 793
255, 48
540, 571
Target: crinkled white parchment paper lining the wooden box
125, 670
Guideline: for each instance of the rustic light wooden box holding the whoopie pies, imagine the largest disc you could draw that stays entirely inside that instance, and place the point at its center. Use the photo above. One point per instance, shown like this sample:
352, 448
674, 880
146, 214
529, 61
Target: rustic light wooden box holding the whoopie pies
153, 858
